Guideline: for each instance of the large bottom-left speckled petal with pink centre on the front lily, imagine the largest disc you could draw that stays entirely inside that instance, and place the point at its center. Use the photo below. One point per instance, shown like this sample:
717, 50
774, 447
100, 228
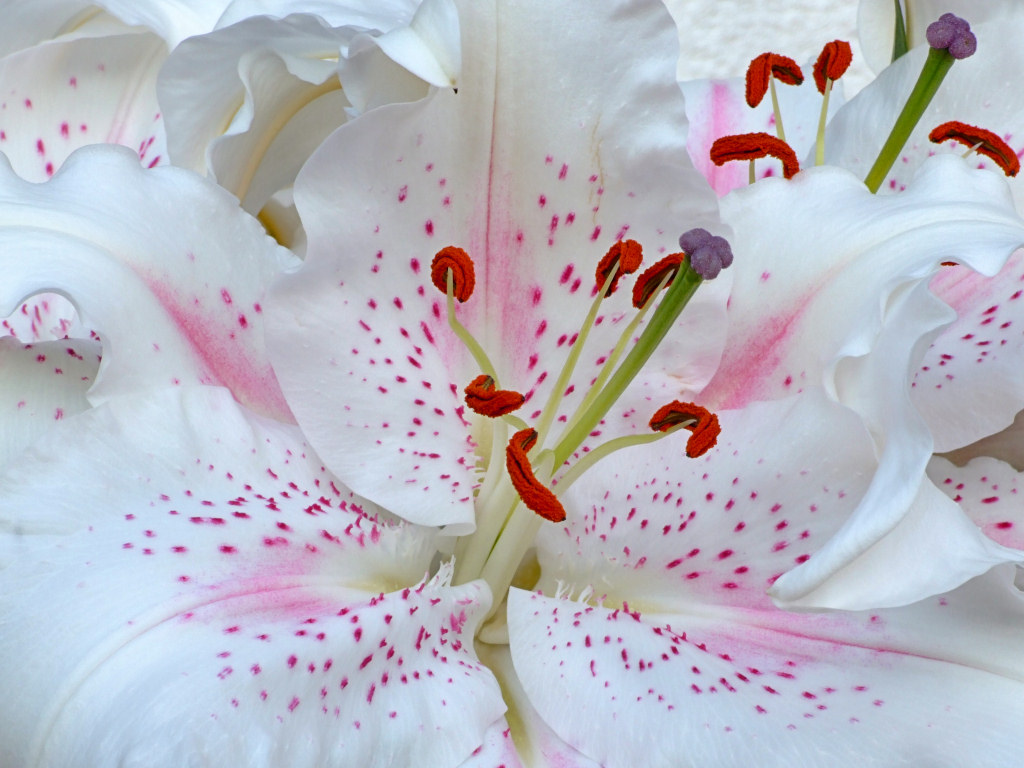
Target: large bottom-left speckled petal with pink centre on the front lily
209, 595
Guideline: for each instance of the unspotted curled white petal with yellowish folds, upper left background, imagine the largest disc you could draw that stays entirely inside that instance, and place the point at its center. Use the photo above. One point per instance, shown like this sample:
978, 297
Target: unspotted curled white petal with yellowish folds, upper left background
271, 82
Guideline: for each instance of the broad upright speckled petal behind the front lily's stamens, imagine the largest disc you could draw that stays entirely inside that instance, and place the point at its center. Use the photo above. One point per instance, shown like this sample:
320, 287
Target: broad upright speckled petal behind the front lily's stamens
536, 178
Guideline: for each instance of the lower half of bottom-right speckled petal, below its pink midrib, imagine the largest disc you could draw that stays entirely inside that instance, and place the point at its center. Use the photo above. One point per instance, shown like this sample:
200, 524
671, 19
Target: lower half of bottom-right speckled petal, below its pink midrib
936, 684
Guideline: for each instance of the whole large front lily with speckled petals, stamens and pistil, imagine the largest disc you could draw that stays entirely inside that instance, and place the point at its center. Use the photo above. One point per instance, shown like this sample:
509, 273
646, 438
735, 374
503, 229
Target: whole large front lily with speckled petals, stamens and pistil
208, 548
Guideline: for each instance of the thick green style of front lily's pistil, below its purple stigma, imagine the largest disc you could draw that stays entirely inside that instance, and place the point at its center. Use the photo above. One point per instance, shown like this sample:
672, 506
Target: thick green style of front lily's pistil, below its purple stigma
678, 295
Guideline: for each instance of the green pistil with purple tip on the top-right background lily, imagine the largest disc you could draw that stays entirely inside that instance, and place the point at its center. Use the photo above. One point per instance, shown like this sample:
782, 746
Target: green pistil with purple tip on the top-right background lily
951, 38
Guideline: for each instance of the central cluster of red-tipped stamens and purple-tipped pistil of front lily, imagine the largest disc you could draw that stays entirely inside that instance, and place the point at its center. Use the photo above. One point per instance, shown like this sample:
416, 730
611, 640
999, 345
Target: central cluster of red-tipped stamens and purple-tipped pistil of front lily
521, 491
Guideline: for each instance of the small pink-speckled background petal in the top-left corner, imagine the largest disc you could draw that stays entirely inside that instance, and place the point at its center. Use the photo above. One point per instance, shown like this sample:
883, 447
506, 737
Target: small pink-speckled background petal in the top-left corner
61, 96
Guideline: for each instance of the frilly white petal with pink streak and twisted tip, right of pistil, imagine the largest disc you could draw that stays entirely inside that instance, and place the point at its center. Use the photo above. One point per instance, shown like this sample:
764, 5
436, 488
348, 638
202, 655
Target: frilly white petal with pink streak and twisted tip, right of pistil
843, 276
